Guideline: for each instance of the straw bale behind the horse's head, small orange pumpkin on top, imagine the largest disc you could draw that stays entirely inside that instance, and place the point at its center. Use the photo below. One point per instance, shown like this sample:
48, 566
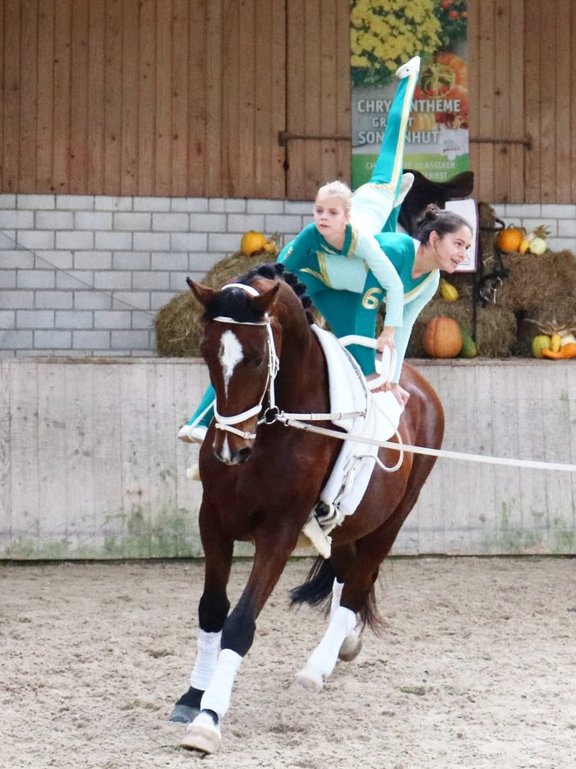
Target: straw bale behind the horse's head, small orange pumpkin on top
178, 331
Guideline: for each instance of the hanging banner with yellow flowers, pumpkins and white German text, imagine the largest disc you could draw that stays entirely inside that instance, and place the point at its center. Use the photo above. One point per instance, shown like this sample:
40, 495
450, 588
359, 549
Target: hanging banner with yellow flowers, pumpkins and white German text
384, 35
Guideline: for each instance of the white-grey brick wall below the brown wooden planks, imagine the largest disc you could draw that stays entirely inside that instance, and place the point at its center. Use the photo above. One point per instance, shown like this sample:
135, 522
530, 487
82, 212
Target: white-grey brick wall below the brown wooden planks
85, 275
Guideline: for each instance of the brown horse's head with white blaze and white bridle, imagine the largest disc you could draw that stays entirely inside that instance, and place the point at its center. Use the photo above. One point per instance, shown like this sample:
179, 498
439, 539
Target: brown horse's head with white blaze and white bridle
240, 351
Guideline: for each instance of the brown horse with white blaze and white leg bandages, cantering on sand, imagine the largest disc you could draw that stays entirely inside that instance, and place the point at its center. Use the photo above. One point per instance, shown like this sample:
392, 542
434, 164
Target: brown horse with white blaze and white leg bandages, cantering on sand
261, 480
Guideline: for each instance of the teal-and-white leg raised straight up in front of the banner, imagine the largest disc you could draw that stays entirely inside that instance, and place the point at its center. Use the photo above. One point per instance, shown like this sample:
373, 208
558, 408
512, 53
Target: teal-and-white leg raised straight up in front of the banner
375, 205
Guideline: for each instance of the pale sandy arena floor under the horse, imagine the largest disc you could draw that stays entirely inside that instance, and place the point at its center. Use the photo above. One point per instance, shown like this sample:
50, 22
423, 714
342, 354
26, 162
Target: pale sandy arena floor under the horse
476, 669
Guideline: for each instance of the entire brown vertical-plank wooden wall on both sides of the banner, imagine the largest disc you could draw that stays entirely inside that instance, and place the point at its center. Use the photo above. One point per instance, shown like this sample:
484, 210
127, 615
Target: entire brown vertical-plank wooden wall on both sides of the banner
251, 98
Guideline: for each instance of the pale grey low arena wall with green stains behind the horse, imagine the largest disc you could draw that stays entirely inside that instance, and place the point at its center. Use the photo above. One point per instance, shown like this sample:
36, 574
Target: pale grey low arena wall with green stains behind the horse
90, 466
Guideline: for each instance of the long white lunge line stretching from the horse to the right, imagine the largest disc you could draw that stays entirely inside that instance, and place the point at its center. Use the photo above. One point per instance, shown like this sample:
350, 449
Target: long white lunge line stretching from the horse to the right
534, 465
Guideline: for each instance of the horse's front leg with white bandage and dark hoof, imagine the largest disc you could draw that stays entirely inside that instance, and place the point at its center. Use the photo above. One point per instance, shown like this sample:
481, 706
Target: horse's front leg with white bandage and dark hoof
212, 612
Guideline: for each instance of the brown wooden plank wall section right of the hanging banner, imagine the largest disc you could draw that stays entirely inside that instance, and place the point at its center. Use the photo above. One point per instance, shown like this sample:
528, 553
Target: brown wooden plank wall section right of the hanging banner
523, 100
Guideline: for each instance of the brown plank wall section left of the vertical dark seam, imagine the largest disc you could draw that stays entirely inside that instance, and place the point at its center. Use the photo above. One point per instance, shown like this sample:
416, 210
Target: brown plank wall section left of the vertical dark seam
143, 97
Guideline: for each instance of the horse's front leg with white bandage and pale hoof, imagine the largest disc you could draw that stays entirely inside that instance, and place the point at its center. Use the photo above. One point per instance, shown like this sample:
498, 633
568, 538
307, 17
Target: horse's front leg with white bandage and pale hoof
270, 559
